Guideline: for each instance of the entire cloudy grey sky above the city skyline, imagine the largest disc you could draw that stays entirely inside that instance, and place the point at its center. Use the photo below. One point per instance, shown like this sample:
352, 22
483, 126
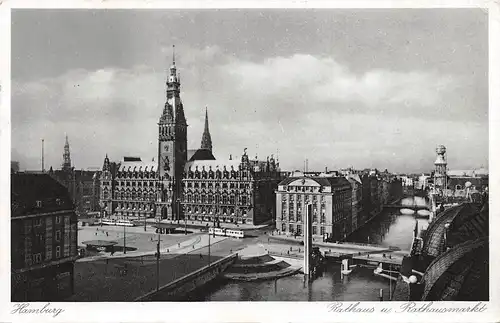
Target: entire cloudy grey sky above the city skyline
363, 88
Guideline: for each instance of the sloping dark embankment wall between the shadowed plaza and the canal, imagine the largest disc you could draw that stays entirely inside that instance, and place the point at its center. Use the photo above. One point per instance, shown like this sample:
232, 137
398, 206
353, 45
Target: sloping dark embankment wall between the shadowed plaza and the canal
188, 283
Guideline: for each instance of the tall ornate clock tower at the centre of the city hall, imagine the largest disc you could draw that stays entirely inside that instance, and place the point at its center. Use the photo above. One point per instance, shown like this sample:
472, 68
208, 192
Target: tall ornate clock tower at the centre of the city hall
172, 150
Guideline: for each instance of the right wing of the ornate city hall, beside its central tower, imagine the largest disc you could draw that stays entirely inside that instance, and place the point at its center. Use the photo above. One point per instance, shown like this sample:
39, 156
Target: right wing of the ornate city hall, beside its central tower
231, 191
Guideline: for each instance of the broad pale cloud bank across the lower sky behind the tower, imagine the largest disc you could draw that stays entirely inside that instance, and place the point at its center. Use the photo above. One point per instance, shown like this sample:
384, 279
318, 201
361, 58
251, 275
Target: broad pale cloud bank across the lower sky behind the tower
302, 104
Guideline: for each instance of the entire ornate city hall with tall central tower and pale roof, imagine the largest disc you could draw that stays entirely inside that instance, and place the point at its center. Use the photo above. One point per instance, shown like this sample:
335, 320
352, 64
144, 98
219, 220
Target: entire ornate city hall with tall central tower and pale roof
187, 183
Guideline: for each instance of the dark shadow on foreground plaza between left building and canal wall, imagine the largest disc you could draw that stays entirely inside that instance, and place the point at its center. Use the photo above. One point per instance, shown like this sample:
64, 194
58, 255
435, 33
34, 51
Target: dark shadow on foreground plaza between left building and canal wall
125, 279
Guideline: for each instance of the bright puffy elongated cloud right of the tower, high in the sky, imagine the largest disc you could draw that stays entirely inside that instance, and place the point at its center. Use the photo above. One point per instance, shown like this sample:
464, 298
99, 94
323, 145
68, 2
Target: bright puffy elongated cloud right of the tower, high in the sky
323, 80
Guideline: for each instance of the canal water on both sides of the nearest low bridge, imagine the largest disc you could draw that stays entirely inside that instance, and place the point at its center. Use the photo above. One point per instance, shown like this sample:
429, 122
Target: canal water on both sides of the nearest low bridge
389, 228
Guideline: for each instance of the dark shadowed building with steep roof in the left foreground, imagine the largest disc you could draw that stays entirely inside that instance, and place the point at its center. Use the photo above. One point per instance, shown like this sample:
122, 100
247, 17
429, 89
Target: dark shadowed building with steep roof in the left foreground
43, 239
